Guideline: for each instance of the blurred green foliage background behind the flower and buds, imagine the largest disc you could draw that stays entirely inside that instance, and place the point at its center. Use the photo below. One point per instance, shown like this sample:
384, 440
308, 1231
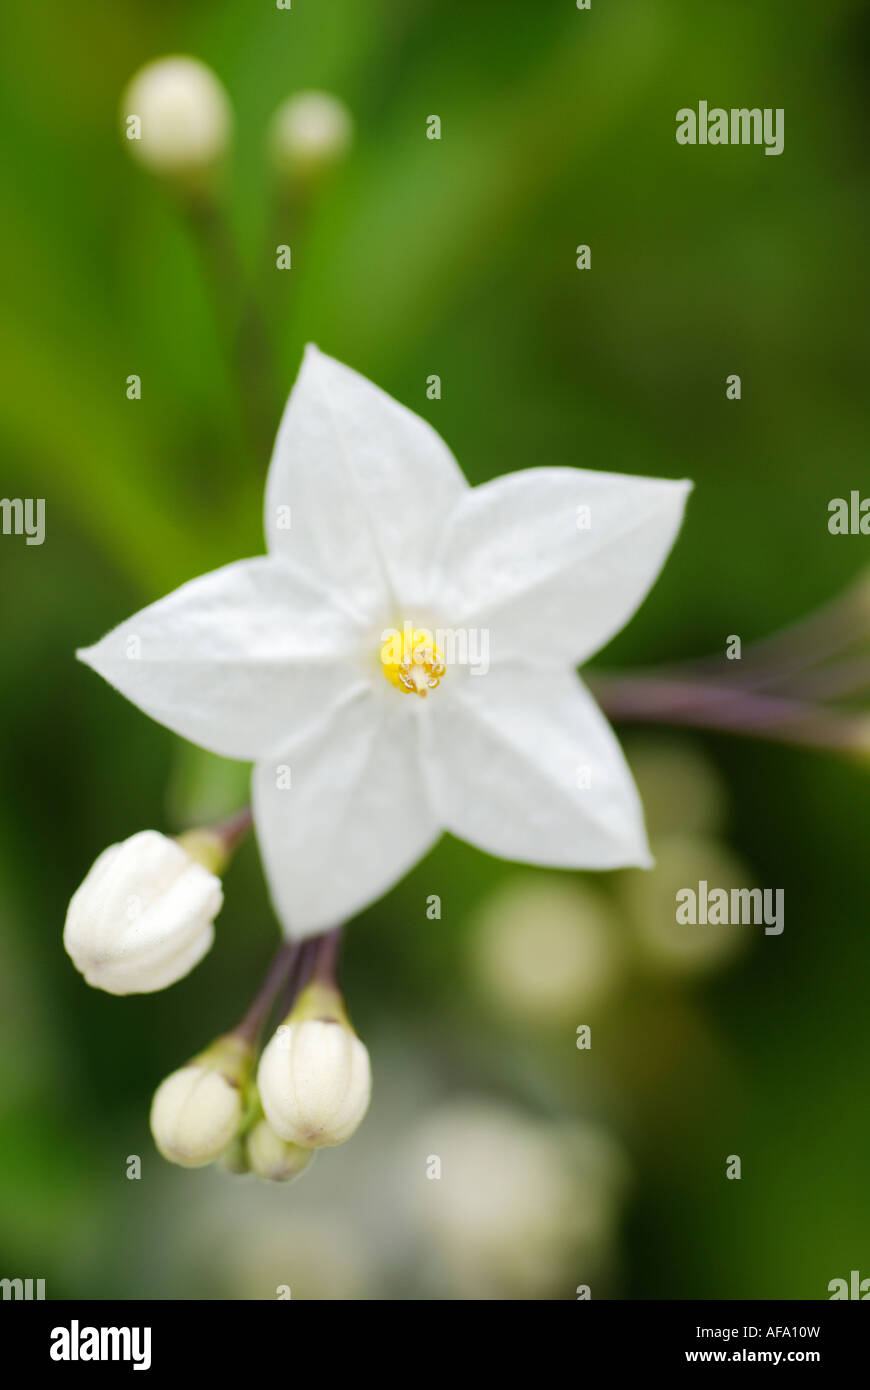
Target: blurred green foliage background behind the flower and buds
452, 258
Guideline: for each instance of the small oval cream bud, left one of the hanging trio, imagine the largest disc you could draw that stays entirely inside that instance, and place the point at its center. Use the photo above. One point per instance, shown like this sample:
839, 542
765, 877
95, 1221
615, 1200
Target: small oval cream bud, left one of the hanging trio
195, 1115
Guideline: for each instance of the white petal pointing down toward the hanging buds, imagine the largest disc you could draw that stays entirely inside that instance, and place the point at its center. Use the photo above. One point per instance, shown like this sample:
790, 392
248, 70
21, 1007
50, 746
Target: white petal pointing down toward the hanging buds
354, 819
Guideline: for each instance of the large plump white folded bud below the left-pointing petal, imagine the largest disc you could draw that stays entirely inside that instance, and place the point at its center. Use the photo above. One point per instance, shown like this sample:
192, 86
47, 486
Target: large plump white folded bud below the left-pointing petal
144, 917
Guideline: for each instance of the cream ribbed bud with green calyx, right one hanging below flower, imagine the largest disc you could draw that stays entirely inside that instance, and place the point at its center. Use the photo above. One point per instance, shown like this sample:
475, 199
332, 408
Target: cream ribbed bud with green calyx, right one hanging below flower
315, 1074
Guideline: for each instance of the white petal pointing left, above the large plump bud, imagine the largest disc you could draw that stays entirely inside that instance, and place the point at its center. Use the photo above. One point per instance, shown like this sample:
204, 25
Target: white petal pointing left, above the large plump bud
237, 661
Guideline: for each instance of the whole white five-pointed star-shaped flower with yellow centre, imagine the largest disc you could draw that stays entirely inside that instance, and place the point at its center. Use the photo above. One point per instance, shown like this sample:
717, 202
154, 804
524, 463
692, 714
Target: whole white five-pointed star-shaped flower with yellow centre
390, 579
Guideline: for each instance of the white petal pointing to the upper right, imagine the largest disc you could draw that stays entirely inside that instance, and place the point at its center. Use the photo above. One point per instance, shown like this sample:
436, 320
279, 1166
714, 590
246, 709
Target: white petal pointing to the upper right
520, 558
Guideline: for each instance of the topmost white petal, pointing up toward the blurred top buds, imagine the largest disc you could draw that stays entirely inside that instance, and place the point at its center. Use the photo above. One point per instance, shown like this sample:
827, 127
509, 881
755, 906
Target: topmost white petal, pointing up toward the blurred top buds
368, 486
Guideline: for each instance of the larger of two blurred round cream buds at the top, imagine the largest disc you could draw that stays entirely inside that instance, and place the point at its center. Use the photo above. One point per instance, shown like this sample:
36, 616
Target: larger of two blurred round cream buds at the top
184, 116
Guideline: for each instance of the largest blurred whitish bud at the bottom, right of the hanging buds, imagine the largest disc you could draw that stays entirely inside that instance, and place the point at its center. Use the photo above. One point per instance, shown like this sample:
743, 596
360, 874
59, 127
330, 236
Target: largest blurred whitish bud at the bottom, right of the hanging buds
520, 1209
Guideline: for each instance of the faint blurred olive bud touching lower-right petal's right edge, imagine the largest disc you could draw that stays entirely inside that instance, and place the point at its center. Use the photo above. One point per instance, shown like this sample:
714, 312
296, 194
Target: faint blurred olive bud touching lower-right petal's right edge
679, 785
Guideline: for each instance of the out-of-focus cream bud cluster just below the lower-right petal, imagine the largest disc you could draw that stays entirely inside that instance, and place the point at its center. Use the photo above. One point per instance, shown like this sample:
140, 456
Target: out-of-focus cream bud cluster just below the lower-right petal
554, 950
